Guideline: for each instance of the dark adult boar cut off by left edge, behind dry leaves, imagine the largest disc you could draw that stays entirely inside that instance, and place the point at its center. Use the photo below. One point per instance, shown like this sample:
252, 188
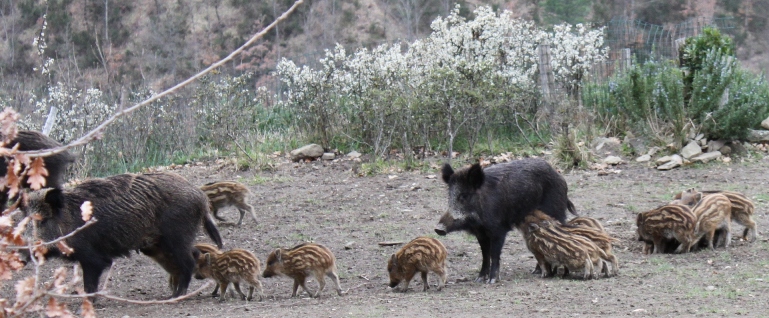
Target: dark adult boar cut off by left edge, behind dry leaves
56, 164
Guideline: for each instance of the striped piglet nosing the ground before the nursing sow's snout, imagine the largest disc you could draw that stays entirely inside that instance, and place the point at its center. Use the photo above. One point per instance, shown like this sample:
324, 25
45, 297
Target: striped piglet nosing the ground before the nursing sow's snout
422, 254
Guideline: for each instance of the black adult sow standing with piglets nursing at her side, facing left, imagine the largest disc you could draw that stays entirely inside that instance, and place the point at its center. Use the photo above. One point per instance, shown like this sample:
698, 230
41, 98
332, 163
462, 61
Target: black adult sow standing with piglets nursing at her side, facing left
489, 202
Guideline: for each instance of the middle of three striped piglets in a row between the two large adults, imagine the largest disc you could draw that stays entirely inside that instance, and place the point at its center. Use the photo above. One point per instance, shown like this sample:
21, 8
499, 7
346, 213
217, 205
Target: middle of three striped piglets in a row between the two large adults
301, 261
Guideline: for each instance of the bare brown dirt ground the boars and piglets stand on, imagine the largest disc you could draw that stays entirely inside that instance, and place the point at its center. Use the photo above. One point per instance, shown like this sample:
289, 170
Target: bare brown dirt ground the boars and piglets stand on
329, 204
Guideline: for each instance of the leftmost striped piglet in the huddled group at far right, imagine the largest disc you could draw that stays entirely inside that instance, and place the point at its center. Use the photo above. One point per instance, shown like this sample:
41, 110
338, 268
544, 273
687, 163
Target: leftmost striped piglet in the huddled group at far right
666, 223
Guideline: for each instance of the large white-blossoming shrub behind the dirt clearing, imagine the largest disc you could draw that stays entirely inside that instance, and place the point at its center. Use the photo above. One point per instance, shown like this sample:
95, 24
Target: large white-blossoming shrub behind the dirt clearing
451, 83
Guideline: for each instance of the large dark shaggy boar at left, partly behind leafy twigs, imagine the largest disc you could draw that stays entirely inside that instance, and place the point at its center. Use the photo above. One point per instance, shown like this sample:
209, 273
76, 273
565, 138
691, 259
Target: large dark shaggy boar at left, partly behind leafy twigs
158, 214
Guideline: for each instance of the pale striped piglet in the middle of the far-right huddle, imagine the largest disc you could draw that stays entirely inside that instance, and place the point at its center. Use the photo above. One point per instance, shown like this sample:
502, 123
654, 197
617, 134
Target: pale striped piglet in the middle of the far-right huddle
713, 212
